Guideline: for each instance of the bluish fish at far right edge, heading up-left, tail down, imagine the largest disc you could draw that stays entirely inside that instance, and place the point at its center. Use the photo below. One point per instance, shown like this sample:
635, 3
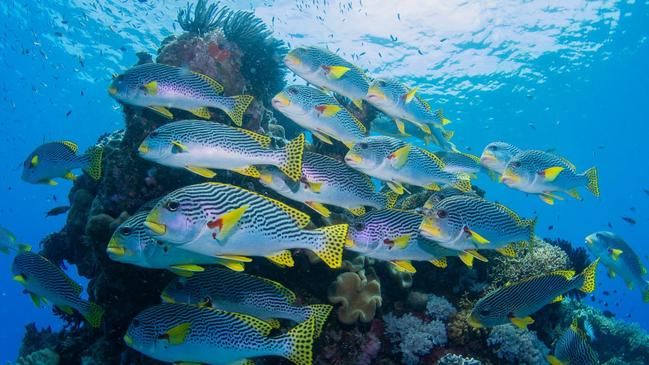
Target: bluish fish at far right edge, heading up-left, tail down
620, 259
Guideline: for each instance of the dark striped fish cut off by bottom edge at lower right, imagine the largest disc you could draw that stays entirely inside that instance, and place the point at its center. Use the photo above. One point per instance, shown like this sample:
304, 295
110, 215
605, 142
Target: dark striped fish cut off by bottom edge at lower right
573, 348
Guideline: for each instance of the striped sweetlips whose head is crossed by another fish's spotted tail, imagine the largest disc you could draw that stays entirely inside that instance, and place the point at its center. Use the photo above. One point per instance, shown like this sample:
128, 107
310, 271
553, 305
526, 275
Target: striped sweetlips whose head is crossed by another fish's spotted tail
328, 181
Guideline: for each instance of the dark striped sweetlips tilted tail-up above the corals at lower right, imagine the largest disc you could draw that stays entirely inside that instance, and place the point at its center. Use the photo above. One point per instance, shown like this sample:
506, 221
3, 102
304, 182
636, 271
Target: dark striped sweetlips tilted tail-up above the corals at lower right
515, 302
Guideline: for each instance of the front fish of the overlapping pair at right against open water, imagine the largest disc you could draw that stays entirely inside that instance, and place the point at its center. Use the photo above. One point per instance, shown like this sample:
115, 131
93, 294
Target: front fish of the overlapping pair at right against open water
543, 173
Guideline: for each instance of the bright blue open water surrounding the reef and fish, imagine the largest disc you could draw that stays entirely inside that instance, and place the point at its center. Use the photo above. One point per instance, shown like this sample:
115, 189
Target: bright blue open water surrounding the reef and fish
567, 75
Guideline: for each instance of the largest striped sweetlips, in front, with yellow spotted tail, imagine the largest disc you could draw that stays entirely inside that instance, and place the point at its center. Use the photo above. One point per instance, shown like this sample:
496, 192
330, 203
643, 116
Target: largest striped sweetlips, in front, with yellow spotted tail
228, 222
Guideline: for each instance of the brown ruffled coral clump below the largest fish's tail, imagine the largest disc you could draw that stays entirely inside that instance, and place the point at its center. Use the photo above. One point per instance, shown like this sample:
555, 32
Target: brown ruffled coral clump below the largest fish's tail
358, 296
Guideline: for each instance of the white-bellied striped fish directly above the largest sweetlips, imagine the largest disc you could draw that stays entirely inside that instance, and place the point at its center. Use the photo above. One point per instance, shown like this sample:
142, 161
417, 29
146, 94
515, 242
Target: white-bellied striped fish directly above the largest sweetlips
201, 146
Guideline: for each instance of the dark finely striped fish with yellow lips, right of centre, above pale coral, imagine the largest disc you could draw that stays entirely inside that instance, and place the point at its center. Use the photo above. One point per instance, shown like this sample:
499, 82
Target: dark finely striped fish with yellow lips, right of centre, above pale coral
467, 223
